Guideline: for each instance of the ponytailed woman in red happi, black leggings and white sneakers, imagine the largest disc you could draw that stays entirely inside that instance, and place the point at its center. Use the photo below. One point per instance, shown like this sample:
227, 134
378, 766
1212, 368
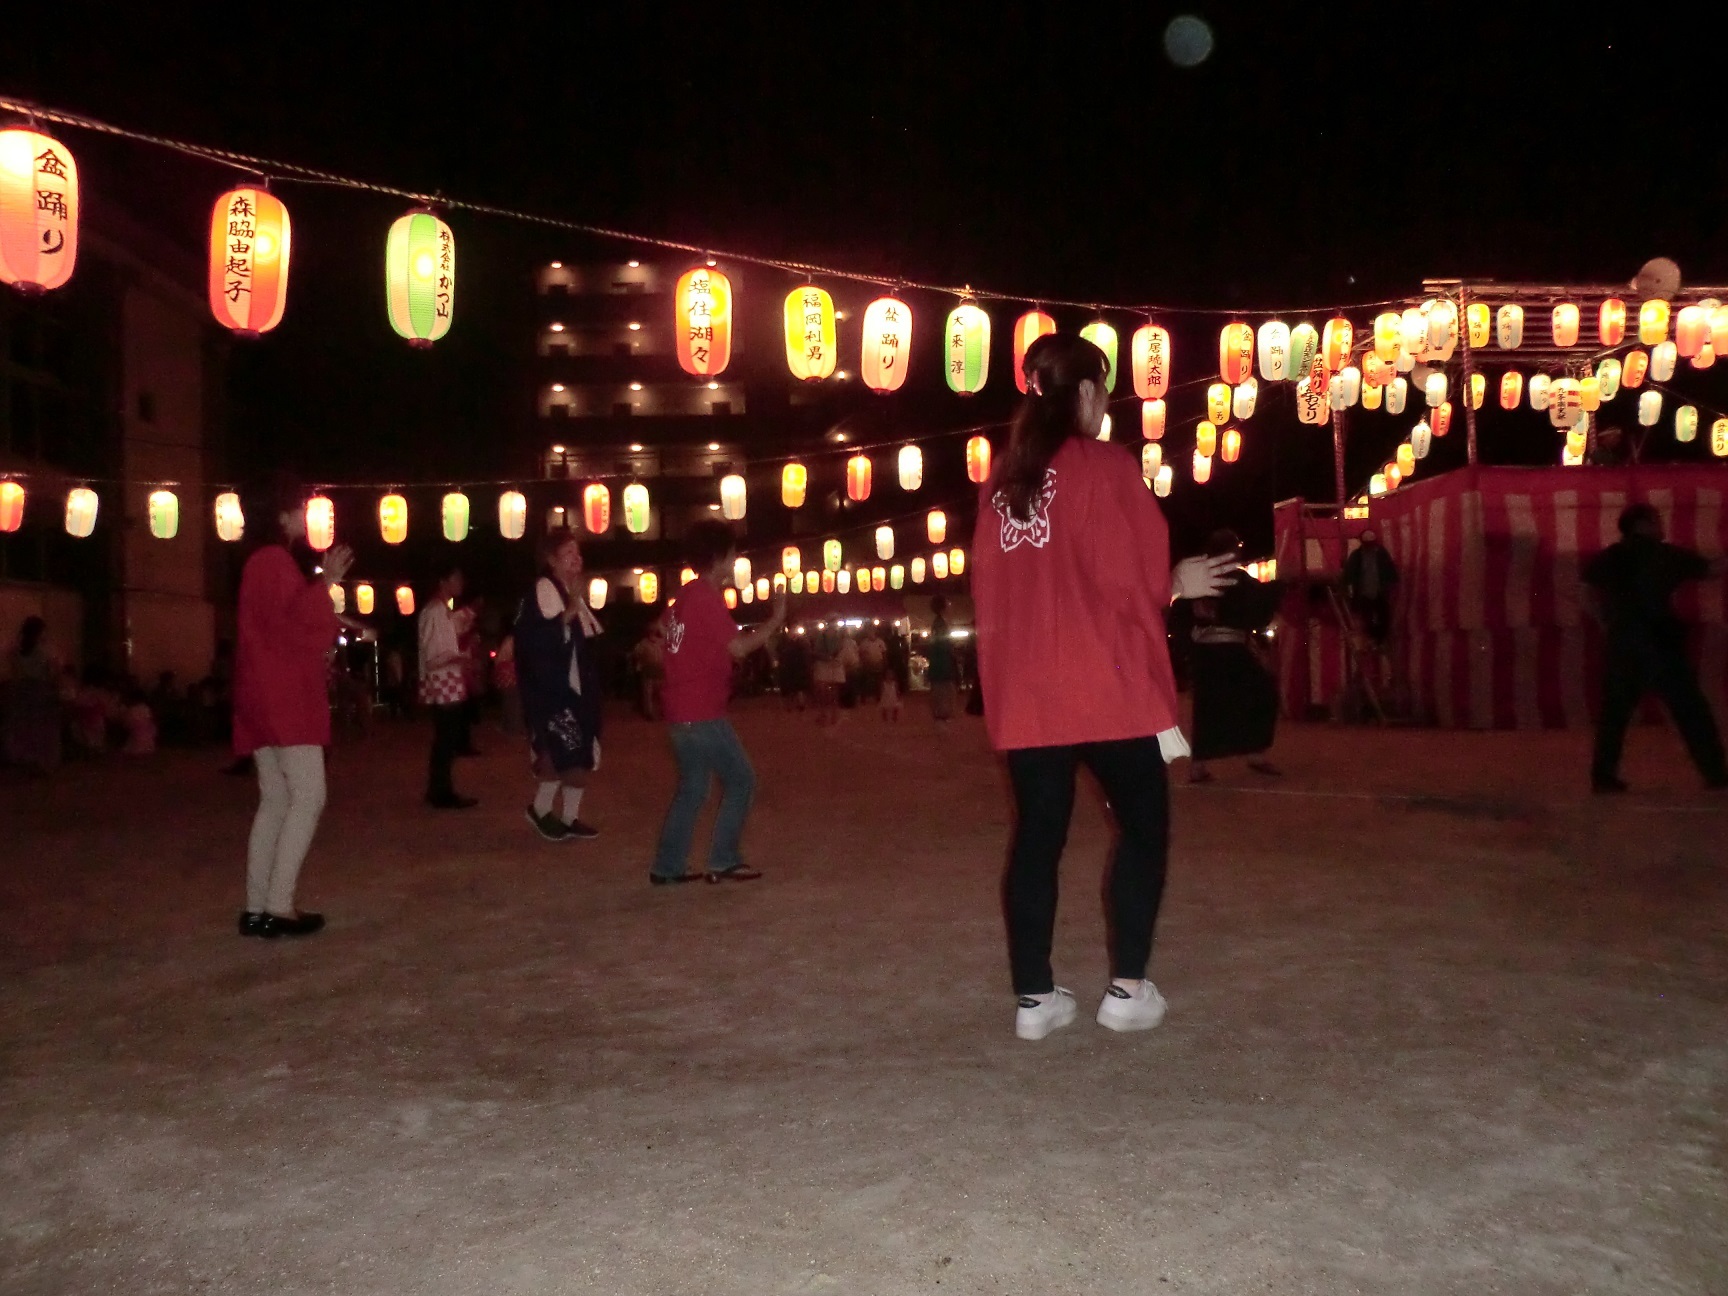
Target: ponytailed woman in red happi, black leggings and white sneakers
1070, 583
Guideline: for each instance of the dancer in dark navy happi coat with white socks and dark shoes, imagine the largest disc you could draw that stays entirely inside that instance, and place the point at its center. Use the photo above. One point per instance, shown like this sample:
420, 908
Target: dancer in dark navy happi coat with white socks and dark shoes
561, 690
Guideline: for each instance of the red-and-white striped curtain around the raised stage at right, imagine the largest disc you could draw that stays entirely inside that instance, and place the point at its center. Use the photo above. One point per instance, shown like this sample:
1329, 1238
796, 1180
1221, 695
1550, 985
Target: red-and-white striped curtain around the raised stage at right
1492, 630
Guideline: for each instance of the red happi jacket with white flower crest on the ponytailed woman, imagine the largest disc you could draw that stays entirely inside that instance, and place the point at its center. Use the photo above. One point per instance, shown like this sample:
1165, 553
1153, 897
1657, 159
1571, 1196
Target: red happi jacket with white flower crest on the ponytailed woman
1072, 607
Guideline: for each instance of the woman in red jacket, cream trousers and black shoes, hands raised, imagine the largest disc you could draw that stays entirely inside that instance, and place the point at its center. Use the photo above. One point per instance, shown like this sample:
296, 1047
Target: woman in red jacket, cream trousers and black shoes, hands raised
281, 701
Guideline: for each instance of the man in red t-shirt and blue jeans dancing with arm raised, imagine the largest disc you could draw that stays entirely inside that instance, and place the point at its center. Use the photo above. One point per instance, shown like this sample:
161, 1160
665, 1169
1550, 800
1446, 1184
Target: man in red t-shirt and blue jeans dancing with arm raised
702, 642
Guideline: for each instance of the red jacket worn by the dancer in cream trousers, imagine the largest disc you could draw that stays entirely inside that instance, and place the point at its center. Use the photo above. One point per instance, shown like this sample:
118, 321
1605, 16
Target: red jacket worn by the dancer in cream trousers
288, 625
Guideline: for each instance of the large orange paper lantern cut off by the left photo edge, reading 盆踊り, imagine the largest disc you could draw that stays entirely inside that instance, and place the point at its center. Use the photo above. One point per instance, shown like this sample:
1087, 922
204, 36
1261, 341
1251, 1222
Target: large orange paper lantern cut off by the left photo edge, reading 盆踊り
39, 210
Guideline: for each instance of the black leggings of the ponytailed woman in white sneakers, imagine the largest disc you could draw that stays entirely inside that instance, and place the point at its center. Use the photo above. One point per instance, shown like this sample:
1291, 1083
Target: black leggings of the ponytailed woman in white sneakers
1133, 777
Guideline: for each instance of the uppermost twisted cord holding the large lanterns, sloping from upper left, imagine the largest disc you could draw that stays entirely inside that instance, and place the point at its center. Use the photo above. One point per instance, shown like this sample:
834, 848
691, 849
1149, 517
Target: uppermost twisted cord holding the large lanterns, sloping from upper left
293, 172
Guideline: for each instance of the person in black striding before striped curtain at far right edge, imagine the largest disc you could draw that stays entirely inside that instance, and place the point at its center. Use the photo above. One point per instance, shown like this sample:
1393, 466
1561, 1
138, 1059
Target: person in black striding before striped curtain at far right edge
1634, 583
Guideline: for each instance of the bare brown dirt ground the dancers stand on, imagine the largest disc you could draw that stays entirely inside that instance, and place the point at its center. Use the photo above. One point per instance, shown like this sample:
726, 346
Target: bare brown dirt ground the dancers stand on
1439, 1024
